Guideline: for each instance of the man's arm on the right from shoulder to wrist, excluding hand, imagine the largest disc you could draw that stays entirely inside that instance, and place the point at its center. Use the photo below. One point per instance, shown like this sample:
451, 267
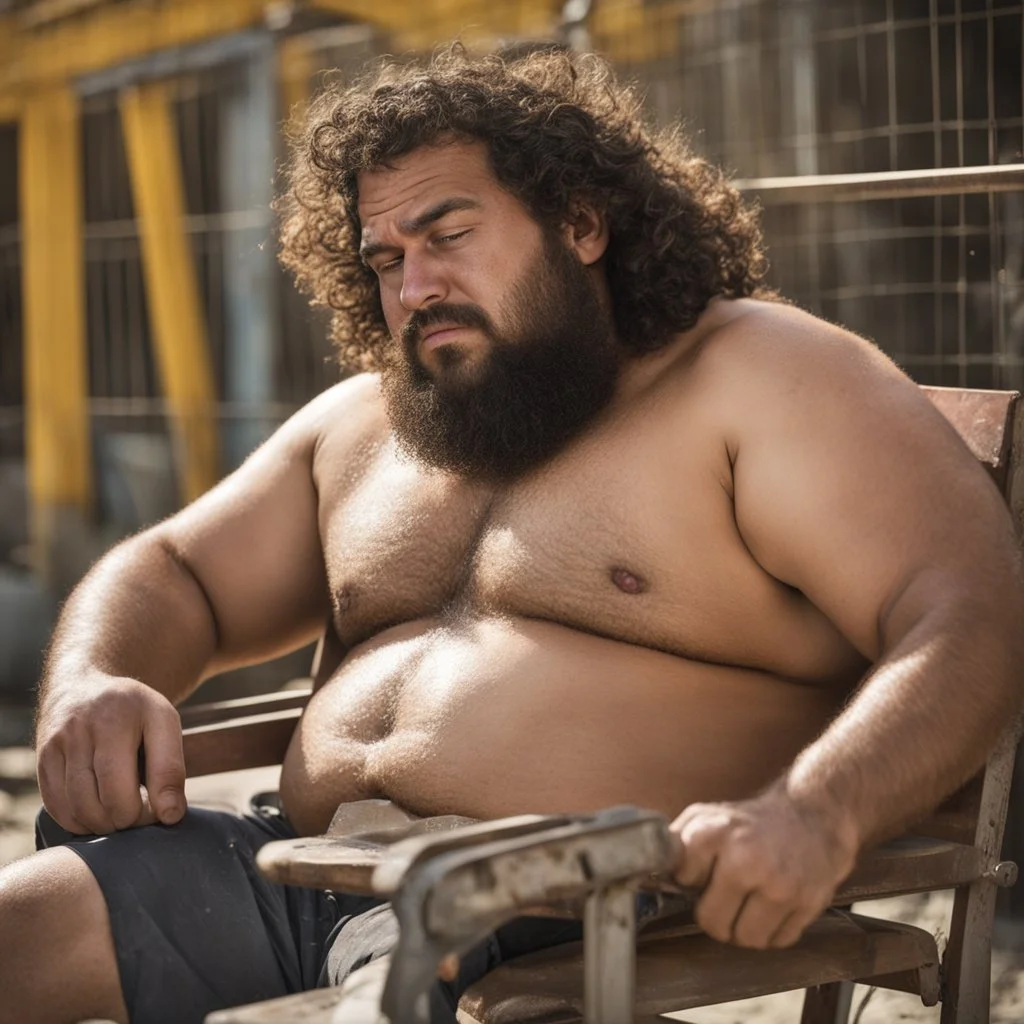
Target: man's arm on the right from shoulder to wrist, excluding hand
850, 487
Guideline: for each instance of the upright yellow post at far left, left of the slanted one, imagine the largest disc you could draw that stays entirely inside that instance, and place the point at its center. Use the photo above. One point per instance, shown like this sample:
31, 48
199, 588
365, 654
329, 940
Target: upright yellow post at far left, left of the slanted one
56, 368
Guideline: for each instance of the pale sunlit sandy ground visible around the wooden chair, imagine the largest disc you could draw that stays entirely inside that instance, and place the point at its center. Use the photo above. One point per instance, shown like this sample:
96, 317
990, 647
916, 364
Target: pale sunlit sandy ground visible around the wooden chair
20, 800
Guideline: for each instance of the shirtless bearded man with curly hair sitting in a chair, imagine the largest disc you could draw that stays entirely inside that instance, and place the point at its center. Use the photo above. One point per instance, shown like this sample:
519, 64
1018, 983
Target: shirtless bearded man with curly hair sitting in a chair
607, 527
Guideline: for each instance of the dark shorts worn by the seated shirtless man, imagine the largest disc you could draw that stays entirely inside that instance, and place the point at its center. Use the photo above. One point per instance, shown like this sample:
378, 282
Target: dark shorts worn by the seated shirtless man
197, 928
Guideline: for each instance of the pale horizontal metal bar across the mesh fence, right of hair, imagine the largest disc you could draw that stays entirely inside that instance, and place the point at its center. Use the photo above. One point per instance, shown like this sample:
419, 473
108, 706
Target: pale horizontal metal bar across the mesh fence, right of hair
885, 185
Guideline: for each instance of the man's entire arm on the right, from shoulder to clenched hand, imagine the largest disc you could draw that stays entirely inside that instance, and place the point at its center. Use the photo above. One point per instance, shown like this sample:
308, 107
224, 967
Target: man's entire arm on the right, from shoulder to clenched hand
851, 488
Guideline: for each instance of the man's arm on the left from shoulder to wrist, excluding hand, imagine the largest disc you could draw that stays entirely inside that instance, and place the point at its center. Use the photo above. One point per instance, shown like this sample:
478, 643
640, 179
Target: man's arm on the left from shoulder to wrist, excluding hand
236, 577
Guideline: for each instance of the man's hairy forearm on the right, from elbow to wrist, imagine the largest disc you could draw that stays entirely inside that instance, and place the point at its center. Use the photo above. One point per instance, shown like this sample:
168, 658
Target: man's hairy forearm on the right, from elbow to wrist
921, 724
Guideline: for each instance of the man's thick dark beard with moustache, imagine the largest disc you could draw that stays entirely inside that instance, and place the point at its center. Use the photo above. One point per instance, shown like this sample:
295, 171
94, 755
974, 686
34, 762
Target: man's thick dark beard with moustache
539, 388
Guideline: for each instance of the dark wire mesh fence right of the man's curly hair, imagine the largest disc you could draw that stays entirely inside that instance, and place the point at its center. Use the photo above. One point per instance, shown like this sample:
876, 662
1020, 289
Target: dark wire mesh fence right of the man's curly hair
787, 88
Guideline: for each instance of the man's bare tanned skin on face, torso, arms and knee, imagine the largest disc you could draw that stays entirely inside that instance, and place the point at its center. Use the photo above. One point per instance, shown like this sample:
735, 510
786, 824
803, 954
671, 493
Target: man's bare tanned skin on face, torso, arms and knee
670, 613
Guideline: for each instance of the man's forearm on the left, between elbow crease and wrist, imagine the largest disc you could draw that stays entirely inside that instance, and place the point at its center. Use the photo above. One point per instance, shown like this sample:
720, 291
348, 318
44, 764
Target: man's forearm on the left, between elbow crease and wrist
139, 614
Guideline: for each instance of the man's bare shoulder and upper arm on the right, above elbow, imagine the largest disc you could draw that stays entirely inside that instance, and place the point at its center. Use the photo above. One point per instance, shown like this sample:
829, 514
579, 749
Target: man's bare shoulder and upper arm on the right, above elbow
847, 482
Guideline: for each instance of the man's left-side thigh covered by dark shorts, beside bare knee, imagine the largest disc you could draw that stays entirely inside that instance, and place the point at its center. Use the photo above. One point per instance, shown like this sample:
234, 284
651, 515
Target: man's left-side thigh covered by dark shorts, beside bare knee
195, 926
